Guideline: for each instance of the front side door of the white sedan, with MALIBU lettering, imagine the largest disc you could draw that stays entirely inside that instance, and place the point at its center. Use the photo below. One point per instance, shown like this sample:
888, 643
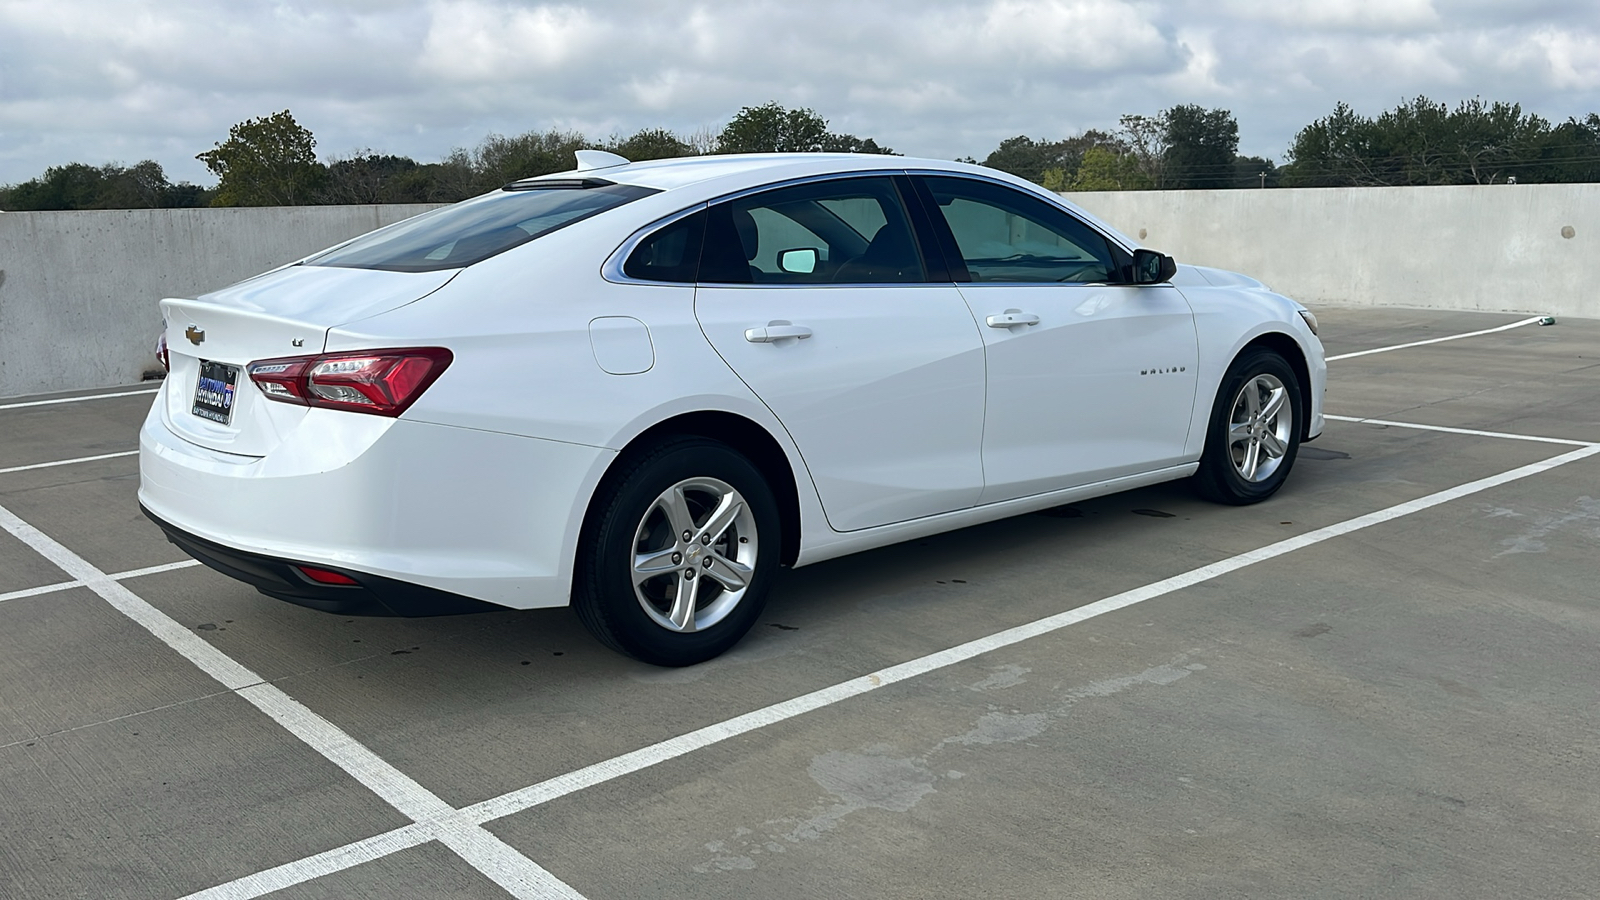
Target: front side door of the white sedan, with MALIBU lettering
1089, 379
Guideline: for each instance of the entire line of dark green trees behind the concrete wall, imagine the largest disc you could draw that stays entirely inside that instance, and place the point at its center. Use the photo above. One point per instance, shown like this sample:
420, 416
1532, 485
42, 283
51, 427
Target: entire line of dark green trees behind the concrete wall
273, 161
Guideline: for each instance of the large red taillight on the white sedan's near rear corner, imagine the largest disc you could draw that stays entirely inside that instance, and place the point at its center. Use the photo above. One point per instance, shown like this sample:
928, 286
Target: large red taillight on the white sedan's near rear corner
366, 382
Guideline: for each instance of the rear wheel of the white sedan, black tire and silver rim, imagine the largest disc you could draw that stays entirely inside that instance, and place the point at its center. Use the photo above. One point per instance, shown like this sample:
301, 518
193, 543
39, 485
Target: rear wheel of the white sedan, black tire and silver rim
631, 521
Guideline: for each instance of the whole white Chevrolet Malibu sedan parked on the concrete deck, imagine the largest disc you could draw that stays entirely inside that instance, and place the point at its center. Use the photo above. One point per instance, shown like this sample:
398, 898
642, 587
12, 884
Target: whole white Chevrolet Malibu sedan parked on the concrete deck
646, 388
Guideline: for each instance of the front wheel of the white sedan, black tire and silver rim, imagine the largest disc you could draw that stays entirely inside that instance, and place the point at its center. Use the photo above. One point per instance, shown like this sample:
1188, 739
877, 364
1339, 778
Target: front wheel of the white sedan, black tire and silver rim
1225, 473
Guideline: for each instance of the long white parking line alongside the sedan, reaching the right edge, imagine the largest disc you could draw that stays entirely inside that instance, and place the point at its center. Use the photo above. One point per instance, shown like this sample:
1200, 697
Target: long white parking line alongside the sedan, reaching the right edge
607, 771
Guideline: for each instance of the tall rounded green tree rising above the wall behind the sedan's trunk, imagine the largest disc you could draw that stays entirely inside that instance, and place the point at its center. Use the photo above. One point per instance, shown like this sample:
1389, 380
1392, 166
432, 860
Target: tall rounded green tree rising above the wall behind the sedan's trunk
266, 163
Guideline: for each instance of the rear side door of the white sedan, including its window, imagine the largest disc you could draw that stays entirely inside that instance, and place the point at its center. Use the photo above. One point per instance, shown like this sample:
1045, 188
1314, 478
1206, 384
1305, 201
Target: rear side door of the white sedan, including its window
818, 297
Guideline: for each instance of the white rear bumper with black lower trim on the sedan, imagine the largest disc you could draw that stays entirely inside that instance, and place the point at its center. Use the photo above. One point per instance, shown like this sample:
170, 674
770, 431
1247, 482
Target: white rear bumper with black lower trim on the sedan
409, 510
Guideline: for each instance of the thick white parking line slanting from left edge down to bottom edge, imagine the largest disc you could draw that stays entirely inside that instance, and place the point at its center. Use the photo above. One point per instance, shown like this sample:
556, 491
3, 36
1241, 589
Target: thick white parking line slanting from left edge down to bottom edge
481, 850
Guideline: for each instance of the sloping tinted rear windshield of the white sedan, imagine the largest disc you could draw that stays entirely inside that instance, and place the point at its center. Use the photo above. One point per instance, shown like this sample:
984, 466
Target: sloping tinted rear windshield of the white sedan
476, 230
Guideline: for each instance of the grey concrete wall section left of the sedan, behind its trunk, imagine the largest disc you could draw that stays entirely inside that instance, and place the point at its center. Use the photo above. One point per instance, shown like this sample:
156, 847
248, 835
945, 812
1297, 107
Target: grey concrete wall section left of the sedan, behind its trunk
79, 291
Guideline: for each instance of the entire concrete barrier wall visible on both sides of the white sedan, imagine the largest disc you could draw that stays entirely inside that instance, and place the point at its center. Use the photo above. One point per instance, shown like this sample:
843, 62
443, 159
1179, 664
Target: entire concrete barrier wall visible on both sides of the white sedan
79, 291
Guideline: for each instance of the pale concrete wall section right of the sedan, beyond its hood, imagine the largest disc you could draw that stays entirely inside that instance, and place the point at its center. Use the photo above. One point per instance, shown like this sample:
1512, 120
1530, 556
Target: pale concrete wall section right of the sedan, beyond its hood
1505, 247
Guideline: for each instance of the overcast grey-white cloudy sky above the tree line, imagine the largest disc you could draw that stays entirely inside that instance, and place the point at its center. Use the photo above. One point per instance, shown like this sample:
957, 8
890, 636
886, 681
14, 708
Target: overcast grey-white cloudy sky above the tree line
121, 81
